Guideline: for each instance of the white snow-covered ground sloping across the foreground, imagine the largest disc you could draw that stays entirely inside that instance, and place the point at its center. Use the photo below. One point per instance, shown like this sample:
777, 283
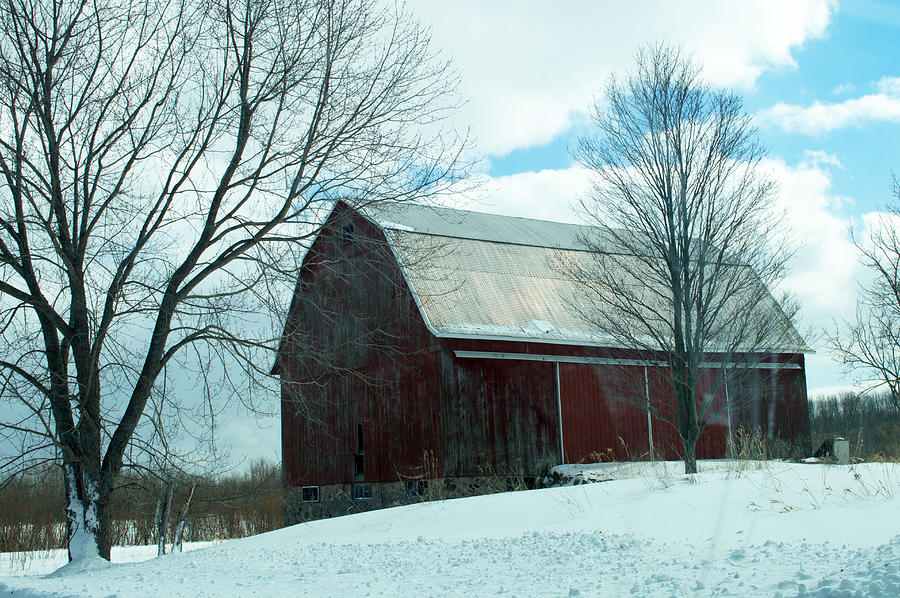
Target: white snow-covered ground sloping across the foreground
736, 529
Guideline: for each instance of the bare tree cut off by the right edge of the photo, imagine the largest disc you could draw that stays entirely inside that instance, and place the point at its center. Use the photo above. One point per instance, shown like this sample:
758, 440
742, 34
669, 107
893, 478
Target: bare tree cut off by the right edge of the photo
870, 344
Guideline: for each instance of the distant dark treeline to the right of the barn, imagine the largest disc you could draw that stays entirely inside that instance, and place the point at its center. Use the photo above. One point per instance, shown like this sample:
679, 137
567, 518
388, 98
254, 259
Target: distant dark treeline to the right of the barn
869, 422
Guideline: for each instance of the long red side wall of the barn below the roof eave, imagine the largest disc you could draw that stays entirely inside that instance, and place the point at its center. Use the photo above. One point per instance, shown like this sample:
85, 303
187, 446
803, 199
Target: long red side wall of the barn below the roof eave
603, 407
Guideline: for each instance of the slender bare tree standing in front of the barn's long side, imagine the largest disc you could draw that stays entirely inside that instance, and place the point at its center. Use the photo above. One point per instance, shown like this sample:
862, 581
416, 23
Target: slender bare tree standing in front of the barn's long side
687, 236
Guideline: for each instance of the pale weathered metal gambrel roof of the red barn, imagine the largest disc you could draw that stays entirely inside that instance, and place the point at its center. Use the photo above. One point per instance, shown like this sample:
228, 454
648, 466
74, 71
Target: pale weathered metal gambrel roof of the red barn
486, 276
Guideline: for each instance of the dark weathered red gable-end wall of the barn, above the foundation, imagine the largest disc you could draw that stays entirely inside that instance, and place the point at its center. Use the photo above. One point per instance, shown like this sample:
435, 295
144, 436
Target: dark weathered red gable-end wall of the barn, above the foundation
358, 368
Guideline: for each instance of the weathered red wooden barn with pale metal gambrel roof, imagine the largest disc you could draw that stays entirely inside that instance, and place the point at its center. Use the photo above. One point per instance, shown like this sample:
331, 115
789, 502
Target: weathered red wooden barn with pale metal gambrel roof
434, 352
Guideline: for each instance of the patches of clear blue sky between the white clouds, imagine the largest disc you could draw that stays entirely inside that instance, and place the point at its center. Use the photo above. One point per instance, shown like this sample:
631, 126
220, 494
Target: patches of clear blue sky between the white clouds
858, 48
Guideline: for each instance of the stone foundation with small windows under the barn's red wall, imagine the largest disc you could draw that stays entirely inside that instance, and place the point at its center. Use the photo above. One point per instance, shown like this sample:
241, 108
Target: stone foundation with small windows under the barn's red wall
337, 499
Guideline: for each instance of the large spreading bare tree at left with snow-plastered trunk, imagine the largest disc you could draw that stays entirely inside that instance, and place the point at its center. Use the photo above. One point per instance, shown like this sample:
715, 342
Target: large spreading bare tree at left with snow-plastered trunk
158, 159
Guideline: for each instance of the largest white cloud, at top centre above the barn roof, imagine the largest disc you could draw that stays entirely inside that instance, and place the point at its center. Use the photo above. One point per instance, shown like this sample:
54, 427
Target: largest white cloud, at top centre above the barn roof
529, 71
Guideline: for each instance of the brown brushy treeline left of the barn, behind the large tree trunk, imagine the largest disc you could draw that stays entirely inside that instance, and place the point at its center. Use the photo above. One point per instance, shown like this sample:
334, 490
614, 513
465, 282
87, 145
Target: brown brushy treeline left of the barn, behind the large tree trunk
32, 507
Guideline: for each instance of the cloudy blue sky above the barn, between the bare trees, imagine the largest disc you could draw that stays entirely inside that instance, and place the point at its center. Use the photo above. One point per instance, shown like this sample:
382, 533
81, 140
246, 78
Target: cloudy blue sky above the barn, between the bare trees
821, 77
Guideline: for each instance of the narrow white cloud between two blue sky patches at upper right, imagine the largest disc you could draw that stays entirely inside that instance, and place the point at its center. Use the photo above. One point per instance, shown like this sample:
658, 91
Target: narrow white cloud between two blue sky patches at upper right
822, 117
